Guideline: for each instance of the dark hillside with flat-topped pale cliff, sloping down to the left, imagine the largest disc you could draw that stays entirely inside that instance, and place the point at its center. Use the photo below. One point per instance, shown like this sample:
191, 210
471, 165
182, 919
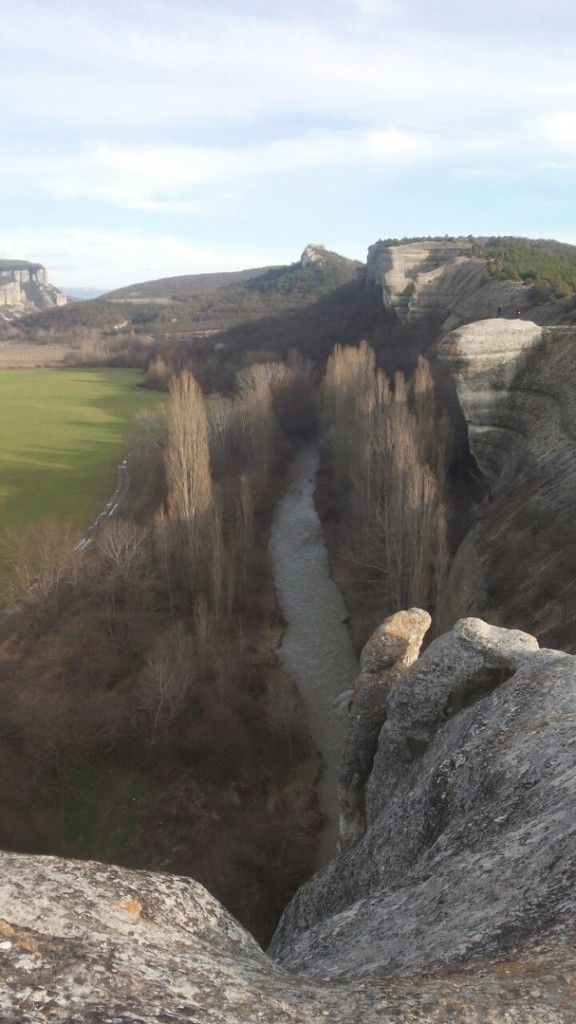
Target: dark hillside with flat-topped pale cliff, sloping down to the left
399, 304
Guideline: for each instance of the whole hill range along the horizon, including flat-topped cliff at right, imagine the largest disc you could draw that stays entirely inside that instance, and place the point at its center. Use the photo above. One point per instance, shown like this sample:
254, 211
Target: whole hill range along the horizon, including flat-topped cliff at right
397, 301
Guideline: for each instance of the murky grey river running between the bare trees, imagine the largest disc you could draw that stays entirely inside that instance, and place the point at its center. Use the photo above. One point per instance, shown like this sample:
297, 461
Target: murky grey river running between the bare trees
316, 649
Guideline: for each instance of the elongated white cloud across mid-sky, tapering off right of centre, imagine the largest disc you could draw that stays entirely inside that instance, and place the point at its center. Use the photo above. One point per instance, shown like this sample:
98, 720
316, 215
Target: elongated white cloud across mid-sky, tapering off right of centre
161, 178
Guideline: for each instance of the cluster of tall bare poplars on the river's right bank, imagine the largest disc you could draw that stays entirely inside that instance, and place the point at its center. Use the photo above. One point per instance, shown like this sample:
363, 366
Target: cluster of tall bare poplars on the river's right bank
389, 446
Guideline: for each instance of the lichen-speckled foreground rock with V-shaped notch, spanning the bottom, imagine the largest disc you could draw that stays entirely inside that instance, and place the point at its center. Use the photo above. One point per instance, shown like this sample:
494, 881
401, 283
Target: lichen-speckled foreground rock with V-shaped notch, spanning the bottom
459, 905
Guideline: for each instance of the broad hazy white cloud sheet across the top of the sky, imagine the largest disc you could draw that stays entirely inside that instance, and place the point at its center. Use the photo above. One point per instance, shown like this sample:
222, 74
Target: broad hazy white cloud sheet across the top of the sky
126, 68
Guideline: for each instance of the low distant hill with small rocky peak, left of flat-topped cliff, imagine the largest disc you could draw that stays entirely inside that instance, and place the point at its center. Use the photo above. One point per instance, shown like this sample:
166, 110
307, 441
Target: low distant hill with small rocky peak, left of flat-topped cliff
201, 304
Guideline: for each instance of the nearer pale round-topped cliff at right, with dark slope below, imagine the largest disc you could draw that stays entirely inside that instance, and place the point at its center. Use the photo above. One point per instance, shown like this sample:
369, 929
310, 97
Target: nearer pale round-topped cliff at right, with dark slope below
517, 566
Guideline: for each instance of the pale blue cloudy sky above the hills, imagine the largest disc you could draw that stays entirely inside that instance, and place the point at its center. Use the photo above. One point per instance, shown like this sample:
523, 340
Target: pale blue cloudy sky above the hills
147, 139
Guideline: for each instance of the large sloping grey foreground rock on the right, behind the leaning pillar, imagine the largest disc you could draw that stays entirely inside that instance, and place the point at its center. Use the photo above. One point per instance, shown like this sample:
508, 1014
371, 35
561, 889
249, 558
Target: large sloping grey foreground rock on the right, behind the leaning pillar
471, 846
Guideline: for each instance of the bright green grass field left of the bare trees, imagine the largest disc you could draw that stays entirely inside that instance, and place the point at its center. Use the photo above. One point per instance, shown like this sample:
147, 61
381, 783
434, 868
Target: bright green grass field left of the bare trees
63, 434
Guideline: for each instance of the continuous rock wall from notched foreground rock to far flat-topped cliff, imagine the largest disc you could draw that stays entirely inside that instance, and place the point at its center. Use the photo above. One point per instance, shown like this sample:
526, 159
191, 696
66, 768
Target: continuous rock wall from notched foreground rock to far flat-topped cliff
455, 899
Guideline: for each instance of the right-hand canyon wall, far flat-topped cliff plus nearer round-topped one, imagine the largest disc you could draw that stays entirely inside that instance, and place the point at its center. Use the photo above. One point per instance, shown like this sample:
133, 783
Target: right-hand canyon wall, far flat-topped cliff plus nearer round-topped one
509, 383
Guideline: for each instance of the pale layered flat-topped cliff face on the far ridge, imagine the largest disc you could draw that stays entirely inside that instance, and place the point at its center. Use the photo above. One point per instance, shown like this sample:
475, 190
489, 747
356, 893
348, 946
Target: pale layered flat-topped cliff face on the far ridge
441, 281
